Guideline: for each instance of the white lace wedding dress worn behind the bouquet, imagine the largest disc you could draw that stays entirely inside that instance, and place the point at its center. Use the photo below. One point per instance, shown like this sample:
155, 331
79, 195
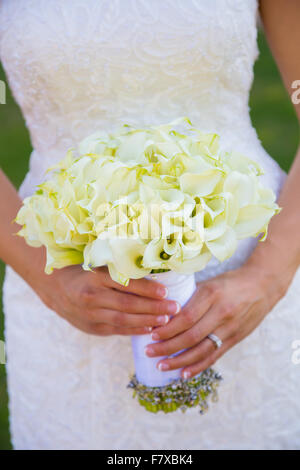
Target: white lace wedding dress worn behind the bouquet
79, 65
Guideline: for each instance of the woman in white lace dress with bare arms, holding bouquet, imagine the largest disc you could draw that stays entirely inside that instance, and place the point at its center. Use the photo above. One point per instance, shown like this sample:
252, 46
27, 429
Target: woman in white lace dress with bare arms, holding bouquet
83, 65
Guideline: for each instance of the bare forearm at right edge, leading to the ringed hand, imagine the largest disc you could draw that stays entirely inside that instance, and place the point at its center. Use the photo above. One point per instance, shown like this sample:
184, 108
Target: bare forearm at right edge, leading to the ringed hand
279, 256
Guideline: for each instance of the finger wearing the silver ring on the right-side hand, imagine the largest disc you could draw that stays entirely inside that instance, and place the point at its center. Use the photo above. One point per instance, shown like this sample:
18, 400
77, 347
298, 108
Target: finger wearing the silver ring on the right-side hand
195, 354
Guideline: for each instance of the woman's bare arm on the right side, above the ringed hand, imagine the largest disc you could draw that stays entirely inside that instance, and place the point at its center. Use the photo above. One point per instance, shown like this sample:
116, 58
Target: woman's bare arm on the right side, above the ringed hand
280, 253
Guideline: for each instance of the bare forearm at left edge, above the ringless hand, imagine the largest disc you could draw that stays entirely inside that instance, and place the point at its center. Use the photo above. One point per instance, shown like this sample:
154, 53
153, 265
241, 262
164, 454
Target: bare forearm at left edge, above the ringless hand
27, 261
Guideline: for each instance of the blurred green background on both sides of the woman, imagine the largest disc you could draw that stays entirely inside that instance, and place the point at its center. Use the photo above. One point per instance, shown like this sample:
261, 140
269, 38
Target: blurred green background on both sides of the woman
272, 114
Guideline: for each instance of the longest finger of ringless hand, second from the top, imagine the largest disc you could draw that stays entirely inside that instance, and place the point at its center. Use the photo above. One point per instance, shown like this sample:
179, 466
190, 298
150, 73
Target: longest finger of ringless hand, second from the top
125, 302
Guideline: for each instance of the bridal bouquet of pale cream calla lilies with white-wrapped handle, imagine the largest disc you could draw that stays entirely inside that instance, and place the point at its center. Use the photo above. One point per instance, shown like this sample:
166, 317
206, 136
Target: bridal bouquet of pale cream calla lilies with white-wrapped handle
159, 202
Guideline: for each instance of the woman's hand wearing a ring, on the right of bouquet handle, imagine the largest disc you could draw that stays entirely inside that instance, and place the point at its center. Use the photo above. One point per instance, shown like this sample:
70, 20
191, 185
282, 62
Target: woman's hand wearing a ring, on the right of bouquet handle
230, 306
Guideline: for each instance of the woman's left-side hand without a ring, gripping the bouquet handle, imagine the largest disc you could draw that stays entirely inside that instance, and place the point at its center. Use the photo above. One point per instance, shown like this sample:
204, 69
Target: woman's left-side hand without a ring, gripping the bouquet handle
95, 304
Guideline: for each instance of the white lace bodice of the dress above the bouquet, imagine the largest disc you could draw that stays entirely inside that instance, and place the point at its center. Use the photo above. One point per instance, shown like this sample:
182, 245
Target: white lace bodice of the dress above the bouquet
79, 65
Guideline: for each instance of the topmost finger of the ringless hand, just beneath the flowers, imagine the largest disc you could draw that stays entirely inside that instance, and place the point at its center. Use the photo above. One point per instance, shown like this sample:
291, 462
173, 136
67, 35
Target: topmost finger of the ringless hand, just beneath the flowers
143, 287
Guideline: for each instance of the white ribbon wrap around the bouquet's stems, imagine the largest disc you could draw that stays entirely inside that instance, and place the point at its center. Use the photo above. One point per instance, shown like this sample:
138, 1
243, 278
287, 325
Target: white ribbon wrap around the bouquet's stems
180, 288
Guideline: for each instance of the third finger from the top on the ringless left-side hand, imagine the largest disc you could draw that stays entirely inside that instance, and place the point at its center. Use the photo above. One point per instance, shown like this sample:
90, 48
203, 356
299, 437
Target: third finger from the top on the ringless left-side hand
117, 318
